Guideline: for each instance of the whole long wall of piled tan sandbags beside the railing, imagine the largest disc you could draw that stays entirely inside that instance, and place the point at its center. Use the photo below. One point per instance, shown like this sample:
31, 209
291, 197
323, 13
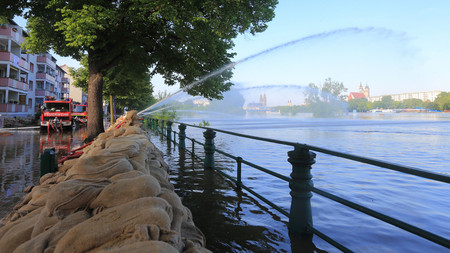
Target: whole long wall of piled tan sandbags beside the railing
116, 197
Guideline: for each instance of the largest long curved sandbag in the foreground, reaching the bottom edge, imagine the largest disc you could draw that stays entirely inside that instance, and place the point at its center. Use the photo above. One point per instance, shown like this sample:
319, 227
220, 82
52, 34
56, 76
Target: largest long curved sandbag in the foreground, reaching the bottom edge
111, 223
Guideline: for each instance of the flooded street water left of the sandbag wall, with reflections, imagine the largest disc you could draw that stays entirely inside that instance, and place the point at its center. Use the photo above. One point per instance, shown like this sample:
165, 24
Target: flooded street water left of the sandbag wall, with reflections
19, 160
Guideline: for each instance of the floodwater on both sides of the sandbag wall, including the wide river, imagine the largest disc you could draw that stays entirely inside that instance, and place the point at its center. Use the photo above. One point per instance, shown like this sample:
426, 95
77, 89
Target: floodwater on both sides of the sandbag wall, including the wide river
235, 221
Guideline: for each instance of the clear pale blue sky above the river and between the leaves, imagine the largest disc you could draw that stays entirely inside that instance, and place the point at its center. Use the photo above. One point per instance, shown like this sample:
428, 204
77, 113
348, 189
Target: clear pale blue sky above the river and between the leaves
392, 46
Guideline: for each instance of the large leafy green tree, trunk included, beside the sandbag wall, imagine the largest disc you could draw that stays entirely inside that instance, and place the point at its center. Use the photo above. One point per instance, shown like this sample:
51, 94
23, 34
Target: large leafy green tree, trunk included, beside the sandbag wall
181, 40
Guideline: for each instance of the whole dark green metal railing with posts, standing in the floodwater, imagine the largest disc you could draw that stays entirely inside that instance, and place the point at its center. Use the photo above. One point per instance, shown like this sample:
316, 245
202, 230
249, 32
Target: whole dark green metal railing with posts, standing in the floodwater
300, 183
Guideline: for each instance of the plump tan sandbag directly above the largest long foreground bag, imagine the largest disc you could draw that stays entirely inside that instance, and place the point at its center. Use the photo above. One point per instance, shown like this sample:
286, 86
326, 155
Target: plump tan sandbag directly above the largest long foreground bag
129, 188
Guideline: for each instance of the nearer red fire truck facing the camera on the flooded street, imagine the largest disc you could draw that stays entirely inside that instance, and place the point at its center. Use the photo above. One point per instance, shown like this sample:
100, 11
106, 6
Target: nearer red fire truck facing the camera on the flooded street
56, 114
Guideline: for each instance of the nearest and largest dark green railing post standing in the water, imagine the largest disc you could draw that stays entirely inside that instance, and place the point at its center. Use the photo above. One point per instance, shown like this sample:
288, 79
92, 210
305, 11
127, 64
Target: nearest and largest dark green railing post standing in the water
300, 217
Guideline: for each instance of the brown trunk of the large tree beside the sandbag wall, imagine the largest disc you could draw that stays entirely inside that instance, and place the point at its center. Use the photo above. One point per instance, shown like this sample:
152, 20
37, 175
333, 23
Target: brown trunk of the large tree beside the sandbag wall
95, 101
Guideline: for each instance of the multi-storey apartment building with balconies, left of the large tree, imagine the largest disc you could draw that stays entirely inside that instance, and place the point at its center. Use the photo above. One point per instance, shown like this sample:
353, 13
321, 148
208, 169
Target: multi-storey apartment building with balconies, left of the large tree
26, 79
